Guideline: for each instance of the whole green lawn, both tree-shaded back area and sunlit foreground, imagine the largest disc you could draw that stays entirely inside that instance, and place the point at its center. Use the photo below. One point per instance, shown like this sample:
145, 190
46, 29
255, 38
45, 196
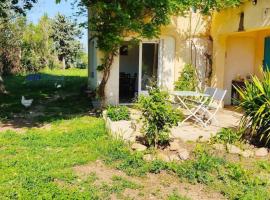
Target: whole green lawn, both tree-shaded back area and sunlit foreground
39, 162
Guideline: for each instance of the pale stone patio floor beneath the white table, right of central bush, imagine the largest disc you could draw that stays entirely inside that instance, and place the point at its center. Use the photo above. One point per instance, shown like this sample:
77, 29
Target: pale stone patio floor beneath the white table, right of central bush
190, 131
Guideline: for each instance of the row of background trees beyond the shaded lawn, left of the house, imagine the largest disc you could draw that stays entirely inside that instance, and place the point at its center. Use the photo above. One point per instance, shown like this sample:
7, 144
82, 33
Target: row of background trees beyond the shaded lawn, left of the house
28, 47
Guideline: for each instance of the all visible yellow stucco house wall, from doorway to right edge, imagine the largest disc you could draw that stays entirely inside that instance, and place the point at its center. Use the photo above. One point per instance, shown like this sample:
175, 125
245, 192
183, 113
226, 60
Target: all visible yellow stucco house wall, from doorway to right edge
234, 52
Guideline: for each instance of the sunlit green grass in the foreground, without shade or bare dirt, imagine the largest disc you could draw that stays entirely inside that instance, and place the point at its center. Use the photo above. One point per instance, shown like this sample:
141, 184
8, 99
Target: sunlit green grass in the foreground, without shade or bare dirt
33, 163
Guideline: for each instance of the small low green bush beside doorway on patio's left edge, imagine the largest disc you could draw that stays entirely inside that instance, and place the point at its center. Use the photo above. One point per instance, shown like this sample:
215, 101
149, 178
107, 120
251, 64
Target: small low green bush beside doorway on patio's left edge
117, 113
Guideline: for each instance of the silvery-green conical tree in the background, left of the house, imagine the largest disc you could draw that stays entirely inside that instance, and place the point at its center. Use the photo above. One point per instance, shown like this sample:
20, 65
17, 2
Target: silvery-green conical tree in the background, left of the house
65, 43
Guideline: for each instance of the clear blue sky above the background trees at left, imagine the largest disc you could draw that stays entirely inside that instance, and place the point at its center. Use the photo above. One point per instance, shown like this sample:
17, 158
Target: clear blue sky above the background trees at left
51, 8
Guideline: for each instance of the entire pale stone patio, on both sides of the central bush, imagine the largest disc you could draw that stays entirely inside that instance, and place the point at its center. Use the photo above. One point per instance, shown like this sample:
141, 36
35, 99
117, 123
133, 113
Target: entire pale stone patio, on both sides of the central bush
188, 131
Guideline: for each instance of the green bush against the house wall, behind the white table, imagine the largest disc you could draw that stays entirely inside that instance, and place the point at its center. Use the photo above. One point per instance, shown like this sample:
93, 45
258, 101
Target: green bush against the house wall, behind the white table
188, 79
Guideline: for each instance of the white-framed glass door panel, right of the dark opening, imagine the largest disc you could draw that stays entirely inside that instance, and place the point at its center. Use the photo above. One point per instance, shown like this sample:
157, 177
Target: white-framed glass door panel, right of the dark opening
148, 65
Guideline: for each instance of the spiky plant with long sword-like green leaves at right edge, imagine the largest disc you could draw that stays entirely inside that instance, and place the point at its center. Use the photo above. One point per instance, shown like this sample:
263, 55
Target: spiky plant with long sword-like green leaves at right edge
256, 106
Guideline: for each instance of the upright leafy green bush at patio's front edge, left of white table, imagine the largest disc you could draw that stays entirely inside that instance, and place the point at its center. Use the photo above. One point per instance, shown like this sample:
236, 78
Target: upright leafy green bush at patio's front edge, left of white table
159, 116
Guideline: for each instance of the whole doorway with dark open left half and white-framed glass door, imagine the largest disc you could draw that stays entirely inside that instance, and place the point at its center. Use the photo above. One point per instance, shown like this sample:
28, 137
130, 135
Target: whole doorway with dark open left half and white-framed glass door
138, 68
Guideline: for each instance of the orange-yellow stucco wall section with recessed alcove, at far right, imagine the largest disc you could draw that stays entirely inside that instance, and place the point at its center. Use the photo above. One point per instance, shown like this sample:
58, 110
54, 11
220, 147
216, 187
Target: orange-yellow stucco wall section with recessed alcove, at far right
239, 52
